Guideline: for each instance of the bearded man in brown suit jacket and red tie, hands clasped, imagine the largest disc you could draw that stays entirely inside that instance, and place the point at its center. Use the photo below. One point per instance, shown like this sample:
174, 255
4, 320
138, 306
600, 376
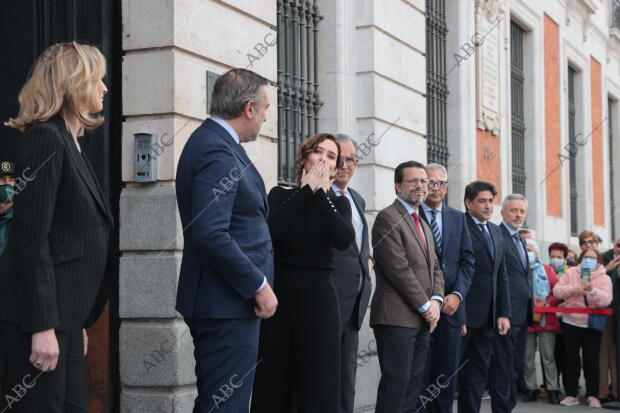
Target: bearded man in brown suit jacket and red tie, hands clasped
406, 306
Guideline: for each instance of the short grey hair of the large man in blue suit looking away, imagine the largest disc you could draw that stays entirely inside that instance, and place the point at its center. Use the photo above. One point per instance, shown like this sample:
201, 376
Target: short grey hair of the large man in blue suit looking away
233, 90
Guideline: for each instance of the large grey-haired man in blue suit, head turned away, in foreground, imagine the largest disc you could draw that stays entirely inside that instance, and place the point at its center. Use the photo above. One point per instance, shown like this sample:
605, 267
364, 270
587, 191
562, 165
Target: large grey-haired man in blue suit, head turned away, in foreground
227, 268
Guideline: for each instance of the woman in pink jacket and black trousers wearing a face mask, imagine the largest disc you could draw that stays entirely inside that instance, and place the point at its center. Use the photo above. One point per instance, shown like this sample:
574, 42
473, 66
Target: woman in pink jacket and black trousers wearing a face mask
578, 292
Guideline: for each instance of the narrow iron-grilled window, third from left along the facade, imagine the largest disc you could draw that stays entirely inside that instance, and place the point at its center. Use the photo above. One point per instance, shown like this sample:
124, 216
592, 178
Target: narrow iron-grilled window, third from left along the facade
517, 80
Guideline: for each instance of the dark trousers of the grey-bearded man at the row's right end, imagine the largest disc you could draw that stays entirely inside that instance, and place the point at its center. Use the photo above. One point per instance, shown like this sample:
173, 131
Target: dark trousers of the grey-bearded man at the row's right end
508, 356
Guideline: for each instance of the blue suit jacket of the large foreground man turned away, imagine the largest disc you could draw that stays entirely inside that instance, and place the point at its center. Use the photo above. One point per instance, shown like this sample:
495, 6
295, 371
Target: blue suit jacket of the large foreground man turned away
227, 249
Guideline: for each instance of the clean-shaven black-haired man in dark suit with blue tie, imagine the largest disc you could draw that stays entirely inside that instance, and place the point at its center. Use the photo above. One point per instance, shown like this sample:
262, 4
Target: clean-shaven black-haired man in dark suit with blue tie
488, 299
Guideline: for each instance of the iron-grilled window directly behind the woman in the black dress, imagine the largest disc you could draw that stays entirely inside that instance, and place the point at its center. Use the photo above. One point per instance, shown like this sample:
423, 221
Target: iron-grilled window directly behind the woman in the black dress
298, 97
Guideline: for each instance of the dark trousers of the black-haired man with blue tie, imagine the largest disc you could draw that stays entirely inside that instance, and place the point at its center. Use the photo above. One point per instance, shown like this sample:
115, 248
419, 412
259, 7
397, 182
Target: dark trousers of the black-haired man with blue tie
475, 362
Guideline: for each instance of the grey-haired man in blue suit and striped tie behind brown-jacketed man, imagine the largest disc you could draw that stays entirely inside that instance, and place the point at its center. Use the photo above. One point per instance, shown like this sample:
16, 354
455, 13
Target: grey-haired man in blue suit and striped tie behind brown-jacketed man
453, 248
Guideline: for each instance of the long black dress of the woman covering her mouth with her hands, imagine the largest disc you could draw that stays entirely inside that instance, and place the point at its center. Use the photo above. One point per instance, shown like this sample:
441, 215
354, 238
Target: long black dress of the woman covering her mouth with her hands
299, 350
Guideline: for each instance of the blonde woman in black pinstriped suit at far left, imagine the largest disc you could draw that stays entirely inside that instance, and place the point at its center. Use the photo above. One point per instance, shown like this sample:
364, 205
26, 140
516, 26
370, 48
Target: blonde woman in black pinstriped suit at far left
51, 287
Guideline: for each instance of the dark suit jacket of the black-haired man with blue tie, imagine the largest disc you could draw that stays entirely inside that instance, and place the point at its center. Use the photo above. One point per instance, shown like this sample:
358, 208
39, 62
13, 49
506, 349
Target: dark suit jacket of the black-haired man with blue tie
489, 294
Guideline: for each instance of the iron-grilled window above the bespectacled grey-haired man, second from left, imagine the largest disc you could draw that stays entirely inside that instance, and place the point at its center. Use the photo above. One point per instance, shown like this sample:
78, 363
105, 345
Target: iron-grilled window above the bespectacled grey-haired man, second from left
436, 86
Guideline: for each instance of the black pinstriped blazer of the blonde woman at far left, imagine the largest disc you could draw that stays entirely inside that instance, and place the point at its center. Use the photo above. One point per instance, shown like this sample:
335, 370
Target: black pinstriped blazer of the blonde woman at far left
60, 240
